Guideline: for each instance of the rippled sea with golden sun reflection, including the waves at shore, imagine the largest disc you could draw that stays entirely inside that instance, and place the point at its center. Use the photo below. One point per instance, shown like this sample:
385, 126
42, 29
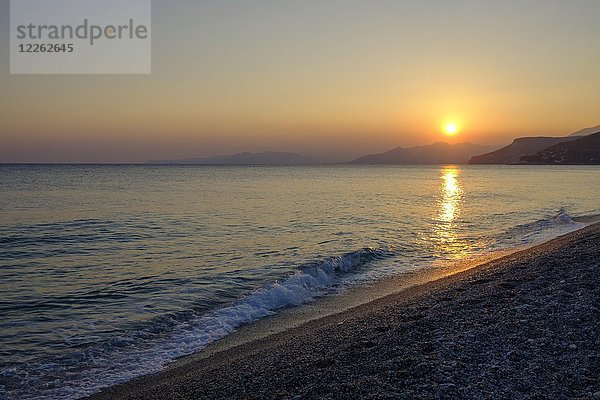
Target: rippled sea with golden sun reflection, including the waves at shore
110, 272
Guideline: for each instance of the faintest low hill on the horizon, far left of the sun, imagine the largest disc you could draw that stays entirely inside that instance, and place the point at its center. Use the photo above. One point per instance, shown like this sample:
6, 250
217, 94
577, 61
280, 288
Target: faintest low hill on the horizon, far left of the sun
264, 158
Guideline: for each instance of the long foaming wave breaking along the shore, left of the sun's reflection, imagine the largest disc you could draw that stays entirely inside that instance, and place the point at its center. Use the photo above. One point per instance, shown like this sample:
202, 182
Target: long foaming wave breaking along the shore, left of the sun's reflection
165, 340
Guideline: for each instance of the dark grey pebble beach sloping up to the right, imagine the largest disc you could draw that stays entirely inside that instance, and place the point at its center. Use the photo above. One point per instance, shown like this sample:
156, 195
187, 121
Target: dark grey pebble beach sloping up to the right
524, 326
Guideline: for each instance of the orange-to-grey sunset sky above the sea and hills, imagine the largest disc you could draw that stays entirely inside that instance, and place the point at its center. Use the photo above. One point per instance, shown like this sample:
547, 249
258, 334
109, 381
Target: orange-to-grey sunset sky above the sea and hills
334, 78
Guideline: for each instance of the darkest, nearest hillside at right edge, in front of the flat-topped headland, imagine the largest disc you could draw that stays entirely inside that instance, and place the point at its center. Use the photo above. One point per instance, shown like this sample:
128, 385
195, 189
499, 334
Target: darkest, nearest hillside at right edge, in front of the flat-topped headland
583, 150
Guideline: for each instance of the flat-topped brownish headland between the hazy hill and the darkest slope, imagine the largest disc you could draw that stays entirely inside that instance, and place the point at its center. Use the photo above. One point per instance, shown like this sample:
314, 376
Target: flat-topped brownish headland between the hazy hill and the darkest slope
520, 147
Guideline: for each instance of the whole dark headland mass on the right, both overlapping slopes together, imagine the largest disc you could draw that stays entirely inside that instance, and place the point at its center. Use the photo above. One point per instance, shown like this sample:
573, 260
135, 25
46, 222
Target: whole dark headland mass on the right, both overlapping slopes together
546, 150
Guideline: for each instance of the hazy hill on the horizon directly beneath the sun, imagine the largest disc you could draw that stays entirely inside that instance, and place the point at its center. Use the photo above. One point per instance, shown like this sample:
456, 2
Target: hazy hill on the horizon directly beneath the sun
438, 153
